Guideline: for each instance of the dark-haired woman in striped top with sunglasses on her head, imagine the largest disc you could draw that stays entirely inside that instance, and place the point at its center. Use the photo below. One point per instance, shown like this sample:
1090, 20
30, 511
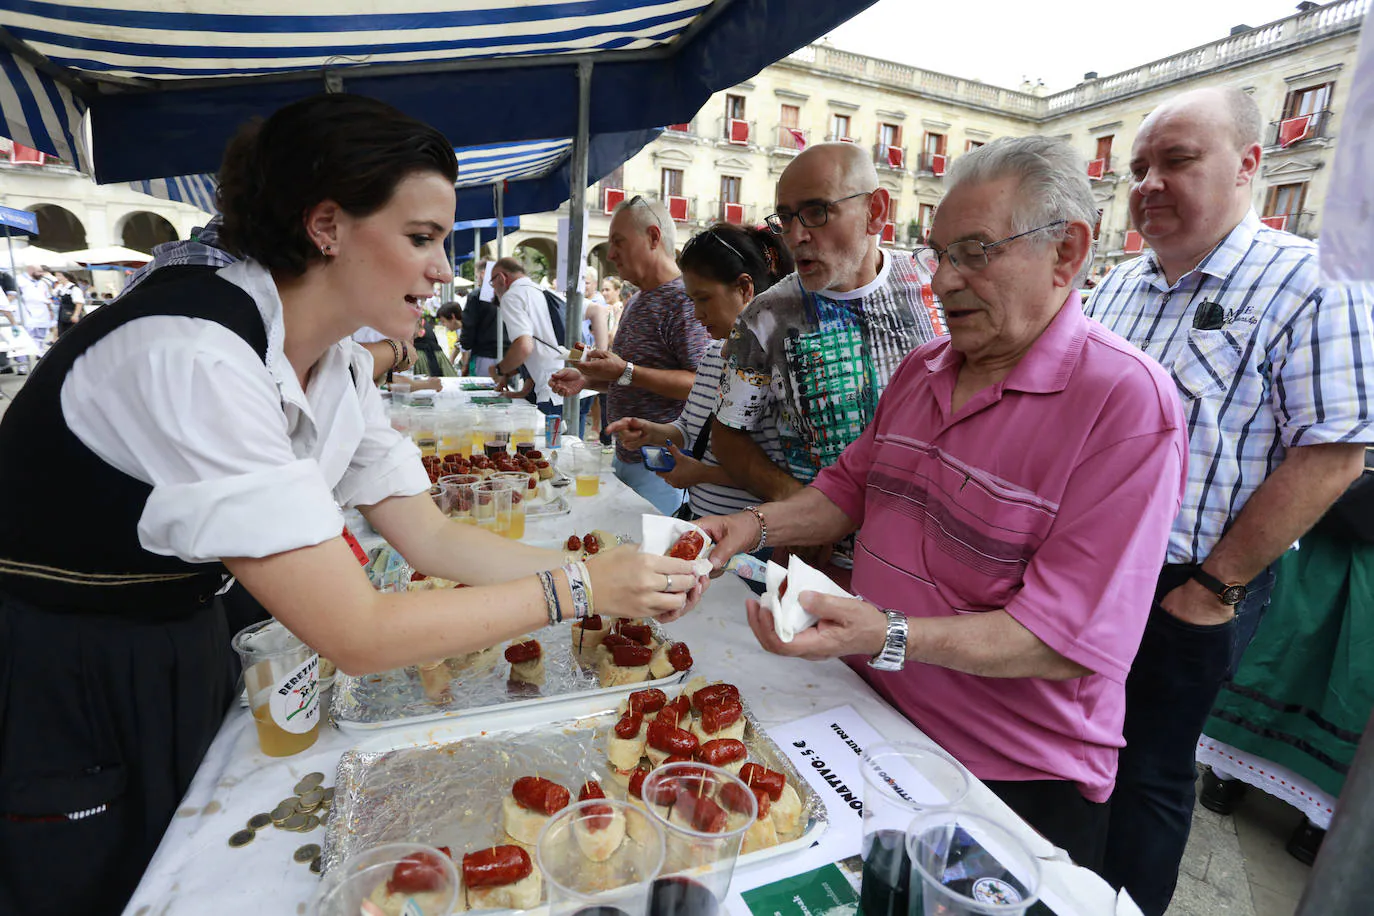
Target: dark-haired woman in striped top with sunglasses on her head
723, 268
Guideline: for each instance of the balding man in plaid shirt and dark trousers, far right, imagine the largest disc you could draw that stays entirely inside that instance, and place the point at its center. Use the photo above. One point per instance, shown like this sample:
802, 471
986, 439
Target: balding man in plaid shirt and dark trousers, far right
1277, 374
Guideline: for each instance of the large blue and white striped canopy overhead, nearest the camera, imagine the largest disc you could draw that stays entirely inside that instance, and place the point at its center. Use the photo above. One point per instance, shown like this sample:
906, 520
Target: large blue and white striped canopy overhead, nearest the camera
166, 86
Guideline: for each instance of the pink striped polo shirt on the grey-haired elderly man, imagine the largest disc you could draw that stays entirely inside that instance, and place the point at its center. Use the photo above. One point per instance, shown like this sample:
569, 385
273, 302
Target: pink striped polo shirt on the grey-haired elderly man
1050, 495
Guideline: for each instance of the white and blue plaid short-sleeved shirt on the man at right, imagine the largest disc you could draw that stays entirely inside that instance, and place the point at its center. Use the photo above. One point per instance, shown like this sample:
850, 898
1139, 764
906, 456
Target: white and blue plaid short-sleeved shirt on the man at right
1291, 366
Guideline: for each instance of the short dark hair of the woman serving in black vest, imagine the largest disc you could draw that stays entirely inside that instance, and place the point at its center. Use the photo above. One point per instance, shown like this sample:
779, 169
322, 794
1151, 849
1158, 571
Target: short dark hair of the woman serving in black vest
337, 148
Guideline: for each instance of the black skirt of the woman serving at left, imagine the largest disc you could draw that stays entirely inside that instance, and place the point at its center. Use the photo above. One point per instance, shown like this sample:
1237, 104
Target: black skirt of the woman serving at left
104, 723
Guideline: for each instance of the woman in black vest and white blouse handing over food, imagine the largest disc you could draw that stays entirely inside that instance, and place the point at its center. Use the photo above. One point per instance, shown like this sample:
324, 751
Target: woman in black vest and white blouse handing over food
211, 424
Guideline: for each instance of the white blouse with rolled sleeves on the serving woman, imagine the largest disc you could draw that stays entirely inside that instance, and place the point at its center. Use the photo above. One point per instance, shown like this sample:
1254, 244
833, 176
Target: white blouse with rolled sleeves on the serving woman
241, 461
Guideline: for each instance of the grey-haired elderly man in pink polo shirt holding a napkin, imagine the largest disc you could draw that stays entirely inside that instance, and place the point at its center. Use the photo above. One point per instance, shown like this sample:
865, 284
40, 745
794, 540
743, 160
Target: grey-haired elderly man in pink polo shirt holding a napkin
1013, 499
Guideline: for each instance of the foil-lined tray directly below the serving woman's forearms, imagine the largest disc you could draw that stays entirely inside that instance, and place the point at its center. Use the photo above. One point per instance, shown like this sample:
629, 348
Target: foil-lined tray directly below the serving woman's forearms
479, 685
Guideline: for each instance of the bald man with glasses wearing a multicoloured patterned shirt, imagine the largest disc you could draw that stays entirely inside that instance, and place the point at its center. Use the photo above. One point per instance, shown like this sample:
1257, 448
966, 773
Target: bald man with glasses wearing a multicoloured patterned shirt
813, 355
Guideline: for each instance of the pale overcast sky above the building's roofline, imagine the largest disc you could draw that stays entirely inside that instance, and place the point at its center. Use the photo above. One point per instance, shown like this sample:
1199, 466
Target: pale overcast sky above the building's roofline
1002, 42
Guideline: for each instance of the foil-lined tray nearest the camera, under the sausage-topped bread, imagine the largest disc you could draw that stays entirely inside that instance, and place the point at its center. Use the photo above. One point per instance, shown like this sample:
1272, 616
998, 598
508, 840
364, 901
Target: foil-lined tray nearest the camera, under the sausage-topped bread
444, 786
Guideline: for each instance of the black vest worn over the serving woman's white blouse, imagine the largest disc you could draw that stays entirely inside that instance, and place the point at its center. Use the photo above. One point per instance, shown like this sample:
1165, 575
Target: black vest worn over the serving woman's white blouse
72, 540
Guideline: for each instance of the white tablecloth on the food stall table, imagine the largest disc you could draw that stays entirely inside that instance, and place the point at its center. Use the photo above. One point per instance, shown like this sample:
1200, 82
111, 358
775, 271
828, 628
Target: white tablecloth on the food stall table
196, 873
